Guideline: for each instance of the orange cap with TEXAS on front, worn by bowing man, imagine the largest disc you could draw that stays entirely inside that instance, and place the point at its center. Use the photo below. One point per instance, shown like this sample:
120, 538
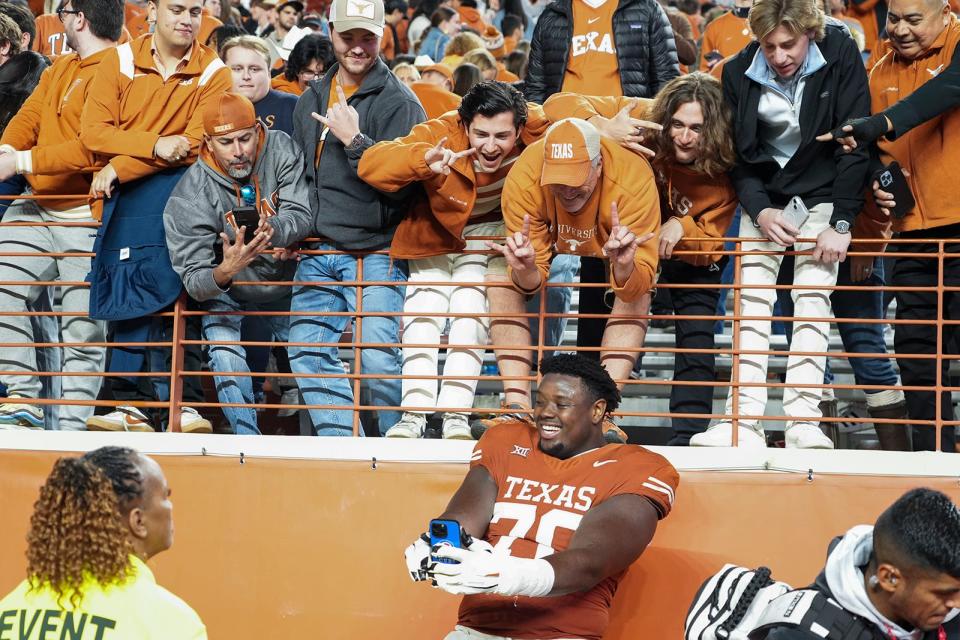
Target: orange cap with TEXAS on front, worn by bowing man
569, 150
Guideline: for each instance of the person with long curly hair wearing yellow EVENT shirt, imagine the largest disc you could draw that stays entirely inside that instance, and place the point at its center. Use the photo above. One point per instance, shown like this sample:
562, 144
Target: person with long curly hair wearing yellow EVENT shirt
98, 519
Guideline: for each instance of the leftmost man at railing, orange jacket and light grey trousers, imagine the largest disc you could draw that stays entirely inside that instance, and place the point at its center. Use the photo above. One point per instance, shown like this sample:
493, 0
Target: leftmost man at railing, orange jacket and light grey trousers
41, 143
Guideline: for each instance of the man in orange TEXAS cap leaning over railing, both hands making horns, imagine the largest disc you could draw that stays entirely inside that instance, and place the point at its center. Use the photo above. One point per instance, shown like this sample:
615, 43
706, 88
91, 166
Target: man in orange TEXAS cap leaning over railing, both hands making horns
576, 192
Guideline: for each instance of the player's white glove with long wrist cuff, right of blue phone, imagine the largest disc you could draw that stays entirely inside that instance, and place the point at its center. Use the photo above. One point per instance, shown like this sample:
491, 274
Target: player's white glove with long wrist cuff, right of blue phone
485, 571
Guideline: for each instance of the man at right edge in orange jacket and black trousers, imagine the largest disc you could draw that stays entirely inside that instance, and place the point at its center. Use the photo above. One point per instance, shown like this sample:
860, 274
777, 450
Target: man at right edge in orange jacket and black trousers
923, 37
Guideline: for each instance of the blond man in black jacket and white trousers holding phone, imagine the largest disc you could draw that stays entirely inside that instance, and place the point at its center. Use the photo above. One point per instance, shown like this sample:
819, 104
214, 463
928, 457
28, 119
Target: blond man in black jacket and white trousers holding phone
799, 78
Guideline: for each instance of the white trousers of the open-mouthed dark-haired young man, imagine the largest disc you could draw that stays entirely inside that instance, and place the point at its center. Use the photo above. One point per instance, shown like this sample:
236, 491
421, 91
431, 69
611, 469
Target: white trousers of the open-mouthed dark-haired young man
466, 297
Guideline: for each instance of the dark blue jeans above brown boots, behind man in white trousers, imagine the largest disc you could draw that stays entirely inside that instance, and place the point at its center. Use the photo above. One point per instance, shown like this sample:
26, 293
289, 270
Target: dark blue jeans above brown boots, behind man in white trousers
857, 338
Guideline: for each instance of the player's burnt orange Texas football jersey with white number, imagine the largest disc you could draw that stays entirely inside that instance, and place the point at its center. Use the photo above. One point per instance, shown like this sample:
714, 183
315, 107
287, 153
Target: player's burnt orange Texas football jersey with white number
540, 503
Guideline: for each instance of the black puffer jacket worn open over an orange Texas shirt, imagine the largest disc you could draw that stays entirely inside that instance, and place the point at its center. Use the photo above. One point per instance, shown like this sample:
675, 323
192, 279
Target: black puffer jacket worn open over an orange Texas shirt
646, 51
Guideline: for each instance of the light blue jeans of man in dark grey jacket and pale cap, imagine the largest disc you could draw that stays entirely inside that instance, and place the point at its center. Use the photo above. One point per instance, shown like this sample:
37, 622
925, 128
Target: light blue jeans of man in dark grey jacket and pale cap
323, 328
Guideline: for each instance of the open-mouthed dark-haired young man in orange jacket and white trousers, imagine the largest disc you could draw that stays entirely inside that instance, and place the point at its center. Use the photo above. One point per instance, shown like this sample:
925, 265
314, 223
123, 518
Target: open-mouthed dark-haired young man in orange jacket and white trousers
462, 159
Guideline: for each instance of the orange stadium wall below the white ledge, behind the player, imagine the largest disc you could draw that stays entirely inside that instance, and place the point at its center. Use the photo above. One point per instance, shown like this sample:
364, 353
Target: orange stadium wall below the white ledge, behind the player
307, 548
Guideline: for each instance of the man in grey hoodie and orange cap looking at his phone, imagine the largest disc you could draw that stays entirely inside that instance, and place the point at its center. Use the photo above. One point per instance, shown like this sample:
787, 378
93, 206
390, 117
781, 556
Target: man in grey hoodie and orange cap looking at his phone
245, 194
